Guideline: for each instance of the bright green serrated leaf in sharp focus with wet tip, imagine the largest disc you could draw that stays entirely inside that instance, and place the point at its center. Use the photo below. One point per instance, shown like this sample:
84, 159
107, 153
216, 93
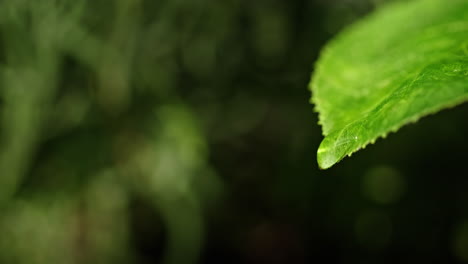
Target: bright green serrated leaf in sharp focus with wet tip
405, 61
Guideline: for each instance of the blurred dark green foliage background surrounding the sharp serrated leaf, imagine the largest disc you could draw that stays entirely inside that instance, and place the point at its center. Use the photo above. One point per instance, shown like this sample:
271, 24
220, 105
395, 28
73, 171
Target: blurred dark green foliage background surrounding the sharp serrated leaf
140, 131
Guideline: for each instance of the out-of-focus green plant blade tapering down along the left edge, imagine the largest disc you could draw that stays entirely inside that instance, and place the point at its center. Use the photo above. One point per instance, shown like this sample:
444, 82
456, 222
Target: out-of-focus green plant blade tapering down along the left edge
32, 36
